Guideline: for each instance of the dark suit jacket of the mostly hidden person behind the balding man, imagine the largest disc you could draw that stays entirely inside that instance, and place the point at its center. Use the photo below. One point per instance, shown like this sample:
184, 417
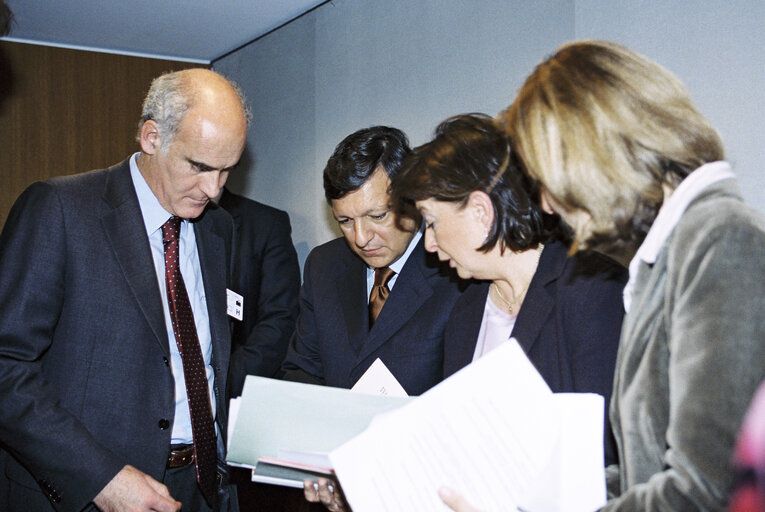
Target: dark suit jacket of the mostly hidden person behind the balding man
267, 275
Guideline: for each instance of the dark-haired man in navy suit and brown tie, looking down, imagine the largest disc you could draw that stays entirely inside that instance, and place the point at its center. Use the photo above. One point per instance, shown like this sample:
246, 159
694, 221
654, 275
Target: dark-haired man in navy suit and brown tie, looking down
337, 337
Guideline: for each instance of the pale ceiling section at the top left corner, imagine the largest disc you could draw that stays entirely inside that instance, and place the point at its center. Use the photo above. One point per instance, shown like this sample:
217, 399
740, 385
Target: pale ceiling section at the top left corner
187, 30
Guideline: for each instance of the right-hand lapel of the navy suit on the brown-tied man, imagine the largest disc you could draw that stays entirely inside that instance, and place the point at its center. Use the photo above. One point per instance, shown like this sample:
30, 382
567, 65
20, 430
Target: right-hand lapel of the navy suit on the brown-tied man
410, 292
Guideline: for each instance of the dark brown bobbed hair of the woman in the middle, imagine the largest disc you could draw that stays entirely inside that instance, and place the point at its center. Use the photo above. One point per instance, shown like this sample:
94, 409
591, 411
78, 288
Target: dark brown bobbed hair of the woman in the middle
470, 152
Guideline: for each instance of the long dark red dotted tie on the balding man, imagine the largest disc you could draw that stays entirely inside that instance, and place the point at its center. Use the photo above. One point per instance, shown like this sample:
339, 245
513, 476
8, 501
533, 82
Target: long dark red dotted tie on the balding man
194, 374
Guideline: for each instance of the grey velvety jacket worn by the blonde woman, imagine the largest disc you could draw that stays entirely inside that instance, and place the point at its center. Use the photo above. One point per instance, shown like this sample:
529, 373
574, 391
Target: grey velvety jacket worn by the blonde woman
691, 355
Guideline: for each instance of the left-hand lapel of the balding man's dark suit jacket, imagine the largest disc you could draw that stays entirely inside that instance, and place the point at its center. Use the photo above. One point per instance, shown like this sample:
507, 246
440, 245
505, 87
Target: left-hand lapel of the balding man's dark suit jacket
126, 233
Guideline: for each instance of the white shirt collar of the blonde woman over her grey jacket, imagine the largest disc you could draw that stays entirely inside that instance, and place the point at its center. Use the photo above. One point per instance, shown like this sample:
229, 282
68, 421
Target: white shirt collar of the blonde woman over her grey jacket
669, 215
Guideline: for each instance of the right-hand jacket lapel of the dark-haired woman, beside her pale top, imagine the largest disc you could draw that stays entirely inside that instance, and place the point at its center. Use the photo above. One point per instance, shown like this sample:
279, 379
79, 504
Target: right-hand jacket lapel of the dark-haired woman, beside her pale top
540, 299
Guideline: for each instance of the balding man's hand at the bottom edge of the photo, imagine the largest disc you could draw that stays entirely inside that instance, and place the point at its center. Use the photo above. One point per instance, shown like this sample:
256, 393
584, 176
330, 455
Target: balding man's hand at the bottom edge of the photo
133, 491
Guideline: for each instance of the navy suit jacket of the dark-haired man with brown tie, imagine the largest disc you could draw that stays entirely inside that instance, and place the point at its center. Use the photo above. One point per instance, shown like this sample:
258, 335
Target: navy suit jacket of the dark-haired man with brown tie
333, 344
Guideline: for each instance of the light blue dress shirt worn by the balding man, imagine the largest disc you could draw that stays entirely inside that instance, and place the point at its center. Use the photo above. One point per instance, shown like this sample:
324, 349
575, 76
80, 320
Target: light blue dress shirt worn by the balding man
154, 215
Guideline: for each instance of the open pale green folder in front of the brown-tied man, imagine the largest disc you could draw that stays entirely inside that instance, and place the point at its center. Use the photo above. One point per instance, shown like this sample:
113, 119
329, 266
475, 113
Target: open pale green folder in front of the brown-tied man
284, 430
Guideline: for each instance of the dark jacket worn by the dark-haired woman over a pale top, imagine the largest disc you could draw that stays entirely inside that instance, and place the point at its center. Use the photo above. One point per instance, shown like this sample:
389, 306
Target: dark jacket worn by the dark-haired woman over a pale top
568, 325
